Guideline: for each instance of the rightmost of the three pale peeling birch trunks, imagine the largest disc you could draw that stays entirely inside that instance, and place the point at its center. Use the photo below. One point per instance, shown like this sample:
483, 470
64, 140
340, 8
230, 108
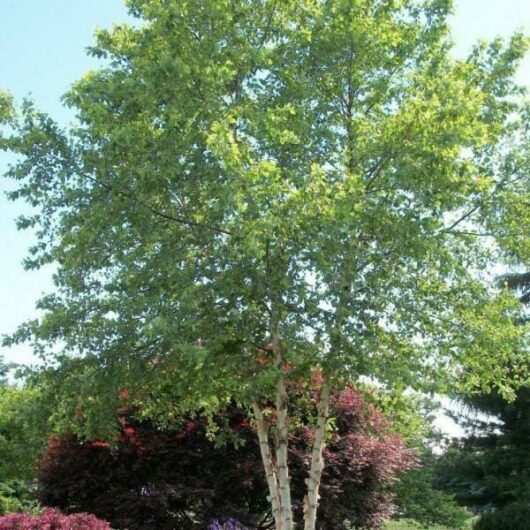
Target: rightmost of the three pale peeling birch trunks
317, 460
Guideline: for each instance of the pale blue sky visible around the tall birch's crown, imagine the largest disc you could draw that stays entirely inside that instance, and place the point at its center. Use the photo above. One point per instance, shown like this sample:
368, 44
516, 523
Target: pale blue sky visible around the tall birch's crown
42, 51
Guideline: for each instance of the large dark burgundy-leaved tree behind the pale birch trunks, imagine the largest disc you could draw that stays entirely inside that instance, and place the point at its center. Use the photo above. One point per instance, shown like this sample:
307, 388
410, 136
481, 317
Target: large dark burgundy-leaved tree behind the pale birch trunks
185, 479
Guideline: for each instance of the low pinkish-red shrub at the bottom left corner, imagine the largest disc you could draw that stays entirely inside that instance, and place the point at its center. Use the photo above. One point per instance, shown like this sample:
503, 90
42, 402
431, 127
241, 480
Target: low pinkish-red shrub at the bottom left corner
52, 520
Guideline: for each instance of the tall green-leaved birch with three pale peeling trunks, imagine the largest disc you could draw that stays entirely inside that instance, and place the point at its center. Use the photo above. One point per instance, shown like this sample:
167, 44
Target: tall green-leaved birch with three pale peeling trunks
256, 192
